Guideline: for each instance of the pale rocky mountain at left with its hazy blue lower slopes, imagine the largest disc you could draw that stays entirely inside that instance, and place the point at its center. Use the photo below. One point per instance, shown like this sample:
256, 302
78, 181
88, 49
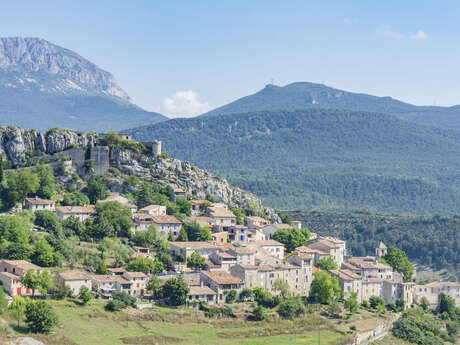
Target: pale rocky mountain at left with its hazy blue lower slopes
43, 85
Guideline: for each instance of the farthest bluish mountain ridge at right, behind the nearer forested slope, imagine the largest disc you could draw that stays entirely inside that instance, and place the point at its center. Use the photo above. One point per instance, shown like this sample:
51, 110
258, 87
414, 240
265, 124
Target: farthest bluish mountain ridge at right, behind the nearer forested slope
304, 95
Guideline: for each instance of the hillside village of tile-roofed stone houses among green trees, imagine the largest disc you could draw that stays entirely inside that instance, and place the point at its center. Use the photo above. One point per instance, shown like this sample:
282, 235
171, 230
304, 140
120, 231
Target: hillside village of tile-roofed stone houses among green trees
101, 237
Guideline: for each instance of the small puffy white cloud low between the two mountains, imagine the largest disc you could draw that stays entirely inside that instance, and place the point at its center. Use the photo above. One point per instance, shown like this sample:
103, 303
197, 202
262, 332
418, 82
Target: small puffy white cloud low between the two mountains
184, 104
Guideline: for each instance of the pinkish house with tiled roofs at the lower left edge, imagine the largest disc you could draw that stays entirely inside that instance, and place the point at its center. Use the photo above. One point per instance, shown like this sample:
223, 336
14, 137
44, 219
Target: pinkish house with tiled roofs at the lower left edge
10, 275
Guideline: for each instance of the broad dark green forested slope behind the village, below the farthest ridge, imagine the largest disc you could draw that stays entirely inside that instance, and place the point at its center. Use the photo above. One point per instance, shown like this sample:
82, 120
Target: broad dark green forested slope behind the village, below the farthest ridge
323, 158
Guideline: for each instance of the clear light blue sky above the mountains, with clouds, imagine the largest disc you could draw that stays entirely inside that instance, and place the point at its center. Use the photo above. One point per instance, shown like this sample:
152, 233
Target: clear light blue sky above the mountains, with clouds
184, 57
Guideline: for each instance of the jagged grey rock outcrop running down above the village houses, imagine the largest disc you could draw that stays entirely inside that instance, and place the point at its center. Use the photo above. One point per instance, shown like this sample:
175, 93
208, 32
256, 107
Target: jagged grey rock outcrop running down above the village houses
18, 145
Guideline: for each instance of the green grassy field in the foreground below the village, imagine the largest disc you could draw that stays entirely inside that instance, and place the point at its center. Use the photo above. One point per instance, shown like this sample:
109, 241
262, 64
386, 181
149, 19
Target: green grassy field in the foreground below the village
92, 325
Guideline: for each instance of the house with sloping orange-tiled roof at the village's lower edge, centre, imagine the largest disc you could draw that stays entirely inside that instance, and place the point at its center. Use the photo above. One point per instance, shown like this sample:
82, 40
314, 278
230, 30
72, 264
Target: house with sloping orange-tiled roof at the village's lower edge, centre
222, 283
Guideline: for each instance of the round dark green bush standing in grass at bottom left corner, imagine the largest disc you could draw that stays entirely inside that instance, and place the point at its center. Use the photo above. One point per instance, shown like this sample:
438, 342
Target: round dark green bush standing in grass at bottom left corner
40, 316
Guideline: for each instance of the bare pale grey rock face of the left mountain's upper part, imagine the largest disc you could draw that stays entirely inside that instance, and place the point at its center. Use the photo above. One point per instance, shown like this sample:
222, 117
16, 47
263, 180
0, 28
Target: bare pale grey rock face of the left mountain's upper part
29, 63
